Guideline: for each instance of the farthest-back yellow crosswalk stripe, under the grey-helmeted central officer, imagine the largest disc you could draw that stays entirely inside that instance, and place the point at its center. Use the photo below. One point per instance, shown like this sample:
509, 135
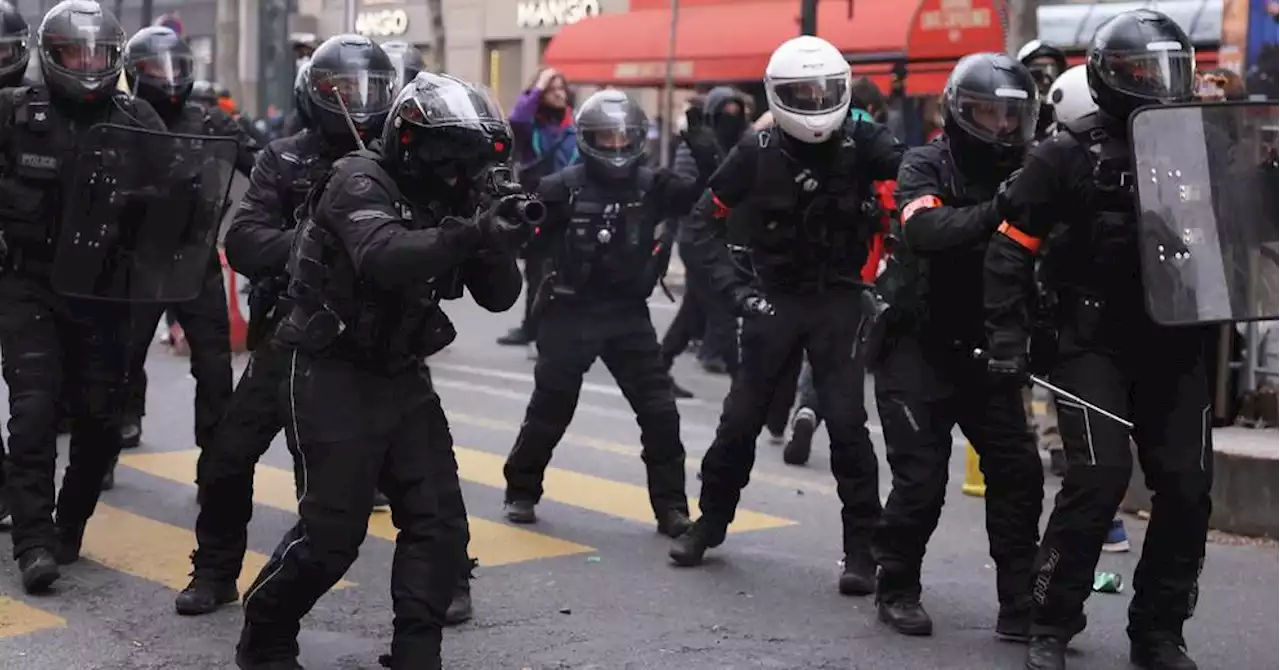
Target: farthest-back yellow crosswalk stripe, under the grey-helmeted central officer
606, 496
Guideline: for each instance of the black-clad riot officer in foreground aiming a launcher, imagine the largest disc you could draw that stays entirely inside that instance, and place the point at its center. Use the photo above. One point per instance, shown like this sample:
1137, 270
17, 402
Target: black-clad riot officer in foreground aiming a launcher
367, 279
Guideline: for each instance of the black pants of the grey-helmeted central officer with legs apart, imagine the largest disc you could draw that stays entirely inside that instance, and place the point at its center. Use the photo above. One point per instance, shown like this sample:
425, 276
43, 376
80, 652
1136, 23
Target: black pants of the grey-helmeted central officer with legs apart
570, 338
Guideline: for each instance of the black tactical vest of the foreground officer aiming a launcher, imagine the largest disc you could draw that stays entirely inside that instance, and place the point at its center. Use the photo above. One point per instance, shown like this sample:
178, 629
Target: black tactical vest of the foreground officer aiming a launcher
336, 313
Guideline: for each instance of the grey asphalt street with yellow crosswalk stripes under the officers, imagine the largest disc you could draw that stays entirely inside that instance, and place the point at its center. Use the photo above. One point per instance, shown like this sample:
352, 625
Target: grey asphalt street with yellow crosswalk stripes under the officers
591, 586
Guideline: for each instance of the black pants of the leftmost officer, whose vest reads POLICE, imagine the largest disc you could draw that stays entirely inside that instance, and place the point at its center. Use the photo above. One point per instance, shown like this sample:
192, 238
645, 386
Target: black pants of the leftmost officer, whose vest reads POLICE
52, 343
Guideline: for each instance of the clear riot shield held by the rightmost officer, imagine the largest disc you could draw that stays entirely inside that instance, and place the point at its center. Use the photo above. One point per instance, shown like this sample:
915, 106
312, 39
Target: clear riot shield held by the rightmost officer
1209, 206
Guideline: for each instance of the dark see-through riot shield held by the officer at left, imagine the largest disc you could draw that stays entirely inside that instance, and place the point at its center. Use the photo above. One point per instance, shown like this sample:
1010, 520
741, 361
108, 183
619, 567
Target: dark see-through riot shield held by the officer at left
141, 212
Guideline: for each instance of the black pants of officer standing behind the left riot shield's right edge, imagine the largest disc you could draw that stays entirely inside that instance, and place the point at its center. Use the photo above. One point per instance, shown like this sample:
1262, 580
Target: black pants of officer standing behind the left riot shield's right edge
208, 330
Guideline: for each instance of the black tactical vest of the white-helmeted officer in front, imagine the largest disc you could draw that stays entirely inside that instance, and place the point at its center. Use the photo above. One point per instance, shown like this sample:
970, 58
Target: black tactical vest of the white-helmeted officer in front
806, 226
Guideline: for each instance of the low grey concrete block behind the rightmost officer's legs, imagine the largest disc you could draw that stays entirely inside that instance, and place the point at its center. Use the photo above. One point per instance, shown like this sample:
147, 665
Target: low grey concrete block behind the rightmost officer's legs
1246, 482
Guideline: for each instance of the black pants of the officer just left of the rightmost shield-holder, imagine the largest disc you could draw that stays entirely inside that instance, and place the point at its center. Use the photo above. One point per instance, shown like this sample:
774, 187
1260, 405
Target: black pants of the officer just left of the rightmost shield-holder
924, 390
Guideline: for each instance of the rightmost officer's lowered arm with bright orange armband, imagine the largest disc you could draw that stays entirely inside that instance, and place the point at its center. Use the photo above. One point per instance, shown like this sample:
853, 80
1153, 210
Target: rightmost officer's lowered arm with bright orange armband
1036, 204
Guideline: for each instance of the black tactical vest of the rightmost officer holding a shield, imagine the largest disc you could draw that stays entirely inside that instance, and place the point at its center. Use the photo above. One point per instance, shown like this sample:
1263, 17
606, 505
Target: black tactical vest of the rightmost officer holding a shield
1104, 256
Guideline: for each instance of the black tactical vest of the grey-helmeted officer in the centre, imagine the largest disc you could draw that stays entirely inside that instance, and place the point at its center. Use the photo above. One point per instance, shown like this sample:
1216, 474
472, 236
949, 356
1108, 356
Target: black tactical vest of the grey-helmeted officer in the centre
611, 248
